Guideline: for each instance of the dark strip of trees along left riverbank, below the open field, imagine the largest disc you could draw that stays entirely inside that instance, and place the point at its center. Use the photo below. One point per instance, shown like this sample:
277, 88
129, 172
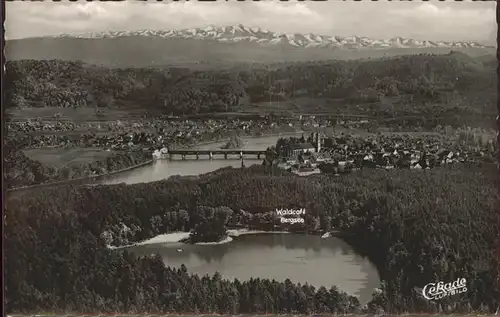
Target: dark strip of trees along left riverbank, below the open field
21, 171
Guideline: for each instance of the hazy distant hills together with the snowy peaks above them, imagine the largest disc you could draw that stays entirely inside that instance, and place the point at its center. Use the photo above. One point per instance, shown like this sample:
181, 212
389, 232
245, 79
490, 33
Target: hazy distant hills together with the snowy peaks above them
216, 46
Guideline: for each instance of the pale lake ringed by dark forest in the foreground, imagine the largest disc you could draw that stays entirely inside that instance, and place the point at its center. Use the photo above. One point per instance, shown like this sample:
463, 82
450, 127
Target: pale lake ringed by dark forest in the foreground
299, 257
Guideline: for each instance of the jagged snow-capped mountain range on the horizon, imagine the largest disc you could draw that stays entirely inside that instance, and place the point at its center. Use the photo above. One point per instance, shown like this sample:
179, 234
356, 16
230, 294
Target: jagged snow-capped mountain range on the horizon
240, 33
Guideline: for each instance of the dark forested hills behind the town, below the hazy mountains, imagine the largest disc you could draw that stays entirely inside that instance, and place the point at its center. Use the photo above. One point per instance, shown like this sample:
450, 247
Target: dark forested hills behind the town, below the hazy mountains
455, 87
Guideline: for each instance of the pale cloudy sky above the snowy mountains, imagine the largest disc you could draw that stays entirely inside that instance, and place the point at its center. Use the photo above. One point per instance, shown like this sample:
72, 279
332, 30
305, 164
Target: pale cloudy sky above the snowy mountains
435, 21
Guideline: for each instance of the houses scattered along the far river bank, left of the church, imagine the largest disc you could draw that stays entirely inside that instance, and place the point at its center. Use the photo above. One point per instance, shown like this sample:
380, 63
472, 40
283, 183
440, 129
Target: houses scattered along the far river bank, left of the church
124, 134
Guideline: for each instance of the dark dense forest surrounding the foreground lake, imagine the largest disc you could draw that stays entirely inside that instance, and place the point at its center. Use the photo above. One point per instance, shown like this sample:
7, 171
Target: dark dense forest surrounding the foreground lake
416, 226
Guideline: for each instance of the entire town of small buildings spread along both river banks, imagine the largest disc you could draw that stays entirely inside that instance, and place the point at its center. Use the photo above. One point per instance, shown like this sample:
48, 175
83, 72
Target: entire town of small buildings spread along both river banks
334, 145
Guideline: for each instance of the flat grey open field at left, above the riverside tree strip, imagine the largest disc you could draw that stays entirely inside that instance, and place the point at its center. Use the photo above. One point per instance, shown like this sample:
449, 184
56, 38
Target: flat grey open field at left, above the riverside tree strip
60, 157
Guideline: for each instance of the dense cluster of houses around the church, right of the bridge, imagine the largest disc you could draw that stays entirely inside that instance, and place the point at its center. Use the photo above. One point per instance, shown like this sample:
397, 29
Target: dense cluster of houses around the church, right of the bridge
346, 153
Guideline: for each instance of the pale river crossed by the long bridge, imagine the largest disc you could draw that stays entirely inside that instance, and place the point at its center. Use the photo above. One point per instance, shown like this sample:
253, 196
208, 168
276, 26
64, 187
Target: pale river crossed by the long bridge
163, 169
